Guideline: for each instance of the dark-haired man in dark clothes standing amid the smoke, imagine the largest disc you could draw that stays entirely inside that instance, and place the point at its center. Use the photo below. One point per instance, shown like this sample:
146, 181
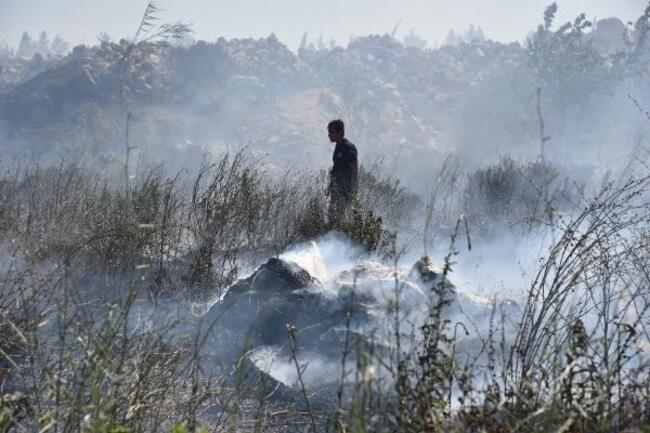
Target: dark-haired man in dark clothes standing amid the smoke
342, 188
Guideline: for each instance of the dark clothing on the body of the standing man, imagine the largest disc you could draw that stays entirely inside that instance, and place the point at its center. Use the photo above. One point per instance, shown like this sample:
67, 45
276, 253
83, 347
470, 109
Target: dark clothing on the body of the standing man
345, 172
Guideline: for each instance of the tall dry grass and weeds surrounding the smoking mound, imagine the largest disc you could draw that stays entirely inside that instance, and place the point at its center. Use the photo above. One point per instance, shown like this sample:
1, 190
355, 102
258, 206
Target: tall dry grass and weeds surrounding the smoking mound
79, 352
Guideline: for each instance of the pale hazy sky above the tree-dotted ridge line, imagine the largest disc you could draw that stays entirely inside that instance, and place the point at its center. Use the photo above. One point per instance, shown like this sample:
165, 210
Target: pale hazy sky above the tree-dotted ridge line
80, 21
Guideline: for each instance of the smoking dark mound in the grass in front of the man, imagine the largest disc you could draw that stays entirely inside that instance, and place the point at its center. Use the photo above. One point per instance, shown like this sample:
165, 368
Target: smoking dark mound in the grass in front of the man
252, 316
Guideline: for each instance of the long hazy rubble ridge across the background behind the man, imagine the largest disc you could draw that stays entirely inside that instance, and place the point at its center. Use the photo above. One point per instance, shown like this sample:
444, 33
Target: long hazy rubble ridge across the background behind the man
408, 104
